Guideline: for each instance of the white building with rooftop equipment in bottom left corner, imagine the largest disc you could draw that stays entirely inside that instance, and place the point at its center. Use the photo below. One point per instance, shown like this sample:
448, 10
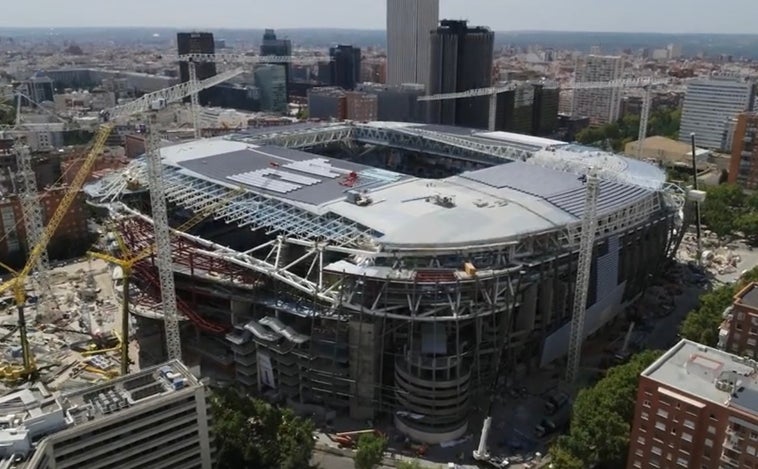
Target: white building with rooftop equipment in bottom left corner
154, 418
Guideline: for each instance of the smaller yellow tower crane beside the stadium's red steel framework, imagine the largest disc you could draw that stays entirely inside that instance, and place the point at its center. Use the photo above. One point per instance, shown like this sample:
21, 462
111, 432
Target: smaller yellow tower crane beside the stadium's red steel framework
127, 263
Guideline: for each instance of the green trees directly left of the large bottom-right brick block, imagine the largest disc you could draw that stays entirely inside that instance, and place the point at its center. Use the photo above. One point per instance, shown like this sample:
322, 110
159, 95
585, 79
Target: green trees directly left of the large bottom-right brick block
601, 419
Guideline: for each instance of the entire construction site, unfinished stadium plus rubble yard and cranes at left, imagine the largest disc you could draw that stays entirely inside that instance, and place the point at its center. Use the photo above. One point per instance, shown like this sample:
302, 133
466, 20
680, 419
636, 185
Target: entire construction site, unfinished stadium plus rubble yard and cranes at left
379, 271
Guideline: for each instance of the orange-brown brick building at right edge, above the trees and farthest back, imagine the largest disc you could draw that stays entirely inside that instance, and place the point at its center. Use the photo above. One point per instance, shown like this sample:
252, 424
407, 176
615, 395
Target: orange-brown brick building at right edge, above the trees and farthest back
743, 166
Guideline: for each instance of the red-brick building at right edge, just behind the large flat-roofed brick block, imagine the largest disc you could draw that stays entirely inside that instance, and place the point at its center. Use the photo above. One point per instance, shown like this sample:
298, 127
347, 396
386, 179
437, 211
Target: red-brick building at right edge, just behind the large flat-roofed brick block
739, 332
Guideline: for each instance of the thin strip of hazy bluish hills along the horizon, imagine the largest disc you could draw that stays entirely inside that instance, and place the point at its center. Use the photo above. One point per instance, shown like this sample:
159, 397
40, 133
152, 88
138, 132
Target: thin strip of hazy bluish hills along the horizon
373, 30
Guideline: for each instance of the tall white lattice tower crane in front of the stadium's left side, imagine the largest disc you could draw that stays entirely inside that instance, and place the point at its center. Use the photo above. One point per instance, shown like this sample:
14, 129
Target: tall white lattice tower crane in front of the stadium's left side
151, 102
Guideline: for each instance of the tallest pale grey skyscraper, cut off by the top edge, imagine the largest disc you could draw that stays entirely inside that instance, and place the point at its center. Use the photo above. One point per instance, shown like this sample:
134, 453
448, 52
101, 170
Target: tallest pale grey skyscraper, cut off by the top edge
409, 27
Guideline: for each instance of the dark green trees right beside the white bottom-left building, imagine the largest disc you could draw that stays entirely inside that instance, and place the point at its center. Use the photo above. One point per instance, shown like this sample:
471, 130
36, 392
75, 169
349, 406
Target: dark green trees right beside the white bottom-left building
251, 433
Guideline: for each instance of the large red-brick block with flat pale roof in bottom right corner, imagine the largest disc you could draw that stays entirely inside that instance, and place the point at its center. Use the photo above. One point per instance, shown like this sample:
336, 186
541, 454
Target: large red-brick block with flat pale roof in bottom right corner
696, 408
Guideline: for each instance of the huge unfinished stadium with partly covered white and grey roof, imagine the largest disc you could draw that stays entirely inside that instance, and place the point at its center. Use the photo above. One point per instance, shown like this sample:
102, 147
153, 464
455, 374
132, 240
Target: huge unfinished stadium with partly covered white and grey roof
378, 268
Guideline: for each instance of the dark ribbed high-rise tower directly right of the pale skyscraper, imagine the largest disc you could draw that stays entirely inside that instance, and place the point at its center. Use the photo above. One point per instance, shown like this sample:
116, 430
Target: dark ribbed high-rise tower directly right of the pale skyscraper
461, 60
